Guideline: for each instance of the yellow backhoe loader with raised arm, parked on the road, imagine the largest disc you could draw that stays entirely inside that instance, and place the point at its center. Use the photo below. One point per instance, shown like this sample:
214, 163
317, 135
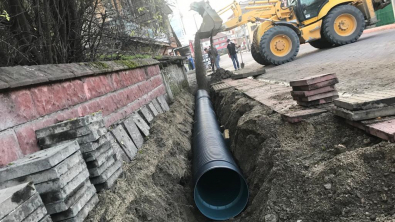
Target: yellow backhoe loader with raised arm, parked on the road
284, 25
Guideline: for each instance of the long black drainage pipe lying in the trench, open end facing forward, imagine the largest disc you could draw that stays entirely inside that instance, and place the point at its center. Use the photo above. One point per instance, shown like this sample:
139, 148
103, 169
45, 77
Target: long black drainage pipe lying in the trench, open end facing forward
220, 190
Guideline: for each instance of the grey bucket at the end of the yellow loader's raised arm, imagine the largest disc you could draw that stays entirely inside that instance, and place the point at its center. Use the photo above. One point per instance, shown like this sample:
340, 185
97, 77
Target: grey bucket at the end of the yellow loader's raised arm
212, 23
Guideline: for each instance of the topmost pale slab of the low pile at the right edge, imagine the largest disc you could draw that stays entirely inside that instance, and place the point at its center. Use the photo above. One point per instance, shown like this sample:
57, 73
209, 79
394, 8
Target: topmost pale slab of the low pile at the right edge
367, 101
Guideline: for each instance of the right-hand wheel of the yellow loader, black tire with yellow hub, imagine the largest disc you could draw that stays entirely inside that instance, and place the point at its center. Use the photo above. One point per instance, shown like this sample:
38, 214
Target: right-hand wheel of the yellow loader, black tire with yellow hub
343, 25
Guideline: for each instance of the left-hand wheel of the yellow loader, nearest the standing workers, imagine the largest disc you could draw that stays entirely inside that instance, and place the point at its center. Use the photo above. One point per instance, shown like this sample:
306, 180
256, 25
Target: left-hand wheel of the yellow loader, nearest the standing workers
279, 45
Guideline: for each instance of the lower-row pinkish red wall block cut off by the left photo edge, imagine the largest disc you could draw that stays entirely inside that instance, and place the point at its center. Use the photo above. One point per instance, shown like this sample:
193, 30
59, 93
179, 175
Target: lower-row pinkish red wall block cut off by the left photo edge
9, 147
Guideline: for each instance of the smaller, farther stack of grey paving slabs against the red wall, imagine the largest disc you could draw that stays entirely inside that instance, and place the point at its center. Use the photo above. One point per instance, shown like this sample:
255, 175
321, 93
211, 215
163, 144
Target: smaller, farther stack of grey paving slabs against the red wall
104, 165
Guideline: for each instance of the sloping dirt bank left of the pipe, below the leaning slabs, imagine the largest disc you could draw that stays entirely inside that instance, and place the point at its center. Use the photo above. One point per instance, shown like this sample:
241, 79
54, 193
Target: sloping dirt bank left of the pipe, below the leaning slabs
156, 185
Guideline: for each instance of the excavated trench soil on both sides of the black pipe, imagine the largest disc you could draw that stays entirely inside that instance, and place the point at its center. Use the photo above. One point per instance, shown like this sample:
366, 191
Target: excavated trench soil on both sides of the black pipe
317, 170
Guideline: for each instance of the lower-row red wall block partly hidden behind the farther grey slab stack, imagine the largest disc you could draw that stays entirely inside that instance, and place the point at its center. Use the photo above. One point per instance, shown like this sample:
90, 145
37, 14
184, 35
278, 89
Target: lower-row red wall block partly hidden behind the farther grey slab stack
27, 136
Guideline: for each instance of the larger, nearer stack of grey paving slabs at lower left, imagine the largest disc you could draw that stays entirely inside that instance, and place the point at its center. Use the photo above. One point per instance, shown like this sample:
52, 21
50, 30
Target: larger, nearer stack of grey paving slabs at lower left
61, 178
